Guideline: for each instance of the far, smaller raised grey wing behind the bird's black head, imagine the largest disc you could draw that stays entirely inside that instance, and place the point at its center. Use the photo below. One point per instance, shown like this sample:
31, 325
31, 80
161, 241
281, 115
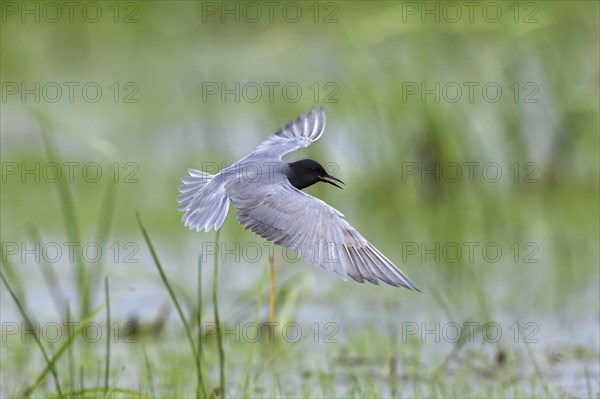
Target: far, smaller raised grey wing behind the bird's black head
296, 134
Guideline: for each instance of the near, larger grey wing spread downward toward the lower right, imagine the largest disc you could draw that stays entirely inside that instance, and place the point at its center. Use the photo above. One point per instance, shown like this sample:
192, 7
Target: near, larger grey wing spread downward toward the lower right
315, 231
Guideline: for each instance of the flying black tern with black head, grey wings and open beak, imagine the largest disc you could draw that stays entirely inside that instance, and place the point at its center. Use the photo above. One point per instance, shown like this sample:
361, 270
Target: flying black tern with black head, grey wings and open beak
265, 190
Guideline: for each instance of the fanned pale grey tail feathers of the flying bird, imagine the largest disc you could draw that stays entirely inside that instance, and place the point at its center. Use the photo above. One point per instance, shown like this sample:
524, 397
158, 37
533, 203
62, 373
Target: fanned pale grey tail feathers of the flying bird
204, 201
